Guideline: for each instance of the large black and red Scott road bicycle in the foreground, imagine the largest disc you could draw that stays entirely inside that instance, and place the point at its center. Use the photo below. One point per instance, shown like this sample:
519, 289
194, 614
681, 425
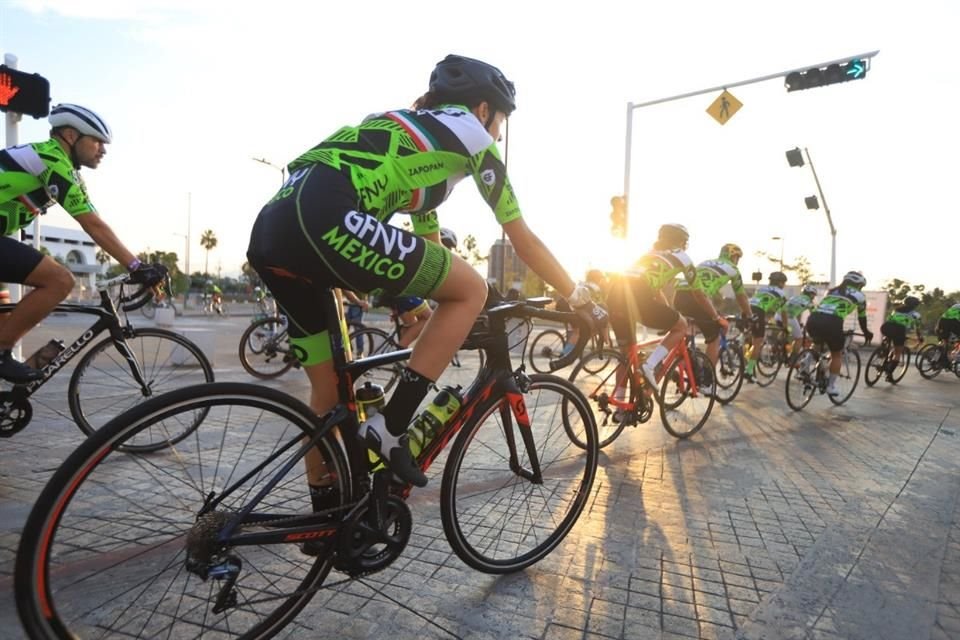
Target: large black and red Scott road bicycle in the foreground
205, 538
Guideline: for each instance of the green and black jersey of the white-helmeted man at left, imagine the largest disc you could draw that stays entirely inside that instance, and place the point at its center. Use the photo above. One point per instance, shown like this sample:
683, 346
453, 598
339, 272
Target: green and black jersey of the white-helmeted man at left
34, 177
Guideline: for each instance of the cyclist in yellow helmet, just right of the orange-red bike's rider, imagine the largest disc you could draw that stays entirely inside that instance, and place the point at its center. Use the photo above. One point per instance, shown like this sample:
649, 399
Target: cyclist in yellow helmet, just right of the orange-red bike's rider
696, 302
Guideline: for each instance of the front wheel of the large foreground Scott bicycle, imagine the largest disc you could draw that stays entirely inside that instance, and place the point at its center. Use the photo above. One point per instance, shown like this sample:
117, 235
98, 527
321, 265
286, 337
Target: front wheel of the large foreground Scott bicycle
503, 506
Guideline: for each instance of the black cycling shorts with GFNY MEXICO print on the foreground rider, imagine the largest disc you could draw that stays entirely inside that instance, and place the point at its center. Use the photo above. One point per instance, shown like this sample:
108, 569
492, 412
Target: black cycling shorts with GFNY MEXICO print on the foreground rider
311, 237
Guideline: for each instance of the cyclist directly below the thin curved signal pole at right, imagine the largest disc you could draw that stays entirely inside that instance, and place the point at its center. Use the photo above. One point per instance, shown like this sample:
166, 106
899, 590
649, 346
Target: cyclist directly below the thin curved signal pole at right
825, 323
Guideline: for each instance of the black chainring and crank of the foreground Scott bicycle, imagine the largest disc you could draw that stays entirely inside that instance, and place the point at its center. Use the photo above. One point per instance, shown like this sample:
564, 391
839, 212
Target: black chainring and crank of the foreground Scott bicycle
363, 548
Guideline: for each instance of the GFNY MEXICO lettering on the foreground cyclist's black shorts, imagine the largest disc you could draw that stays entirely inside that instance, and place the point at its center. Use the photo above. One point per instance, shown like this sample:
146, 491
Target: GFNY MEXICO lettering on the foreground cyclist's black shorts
364, 236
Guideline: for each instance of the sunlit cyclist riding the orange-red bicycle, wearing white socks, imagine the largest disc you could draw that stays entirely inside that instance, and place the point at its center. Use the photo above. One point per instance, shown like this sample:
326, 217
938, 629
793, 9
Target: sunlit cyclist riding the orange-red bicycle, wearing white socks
637, 296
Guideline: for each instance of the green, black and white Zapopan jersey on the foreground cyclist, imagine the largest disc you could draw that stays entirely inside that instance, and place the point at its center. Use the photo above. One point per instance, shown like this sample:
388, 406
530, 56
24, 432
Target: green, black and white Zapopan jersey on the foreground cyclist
409, 161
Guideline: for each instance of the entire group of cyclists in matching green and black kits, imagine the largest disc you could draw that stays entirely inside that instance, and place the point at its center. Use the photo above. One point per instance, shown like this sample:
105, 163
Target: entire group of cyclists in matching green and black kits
327, 227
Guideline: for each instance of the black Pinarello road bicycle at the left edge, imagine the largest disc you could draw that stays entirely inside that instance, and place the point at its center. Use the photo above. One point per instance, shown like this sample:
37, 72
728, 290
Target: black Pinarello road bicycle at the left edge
122, 370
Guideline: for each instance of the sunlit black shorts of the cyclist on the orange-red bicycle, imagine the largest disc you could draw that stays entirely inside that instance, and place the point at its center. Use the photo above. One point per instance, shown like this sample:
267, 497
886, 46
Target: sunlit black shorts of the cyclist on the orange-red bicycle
631, 300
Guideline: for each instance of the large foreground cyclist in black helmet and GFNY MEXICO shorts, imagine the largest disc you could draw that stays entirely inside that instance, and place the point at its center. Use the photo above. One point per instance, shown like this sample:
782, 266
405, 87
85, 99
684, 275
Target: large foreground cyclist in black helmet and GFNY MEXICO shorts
326, 227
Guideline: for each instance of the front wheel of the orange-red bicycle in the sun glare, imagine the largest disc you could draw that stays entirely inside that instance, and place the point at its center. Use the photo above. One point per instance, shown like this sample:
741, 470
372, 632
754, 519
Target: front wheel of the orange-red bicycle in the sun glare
675, 394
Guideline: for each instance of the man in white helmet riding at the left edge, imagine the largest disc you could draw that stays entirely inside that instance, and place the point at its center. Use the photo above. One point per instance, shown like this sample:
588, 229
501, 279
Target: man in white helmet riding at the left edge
34, 177
